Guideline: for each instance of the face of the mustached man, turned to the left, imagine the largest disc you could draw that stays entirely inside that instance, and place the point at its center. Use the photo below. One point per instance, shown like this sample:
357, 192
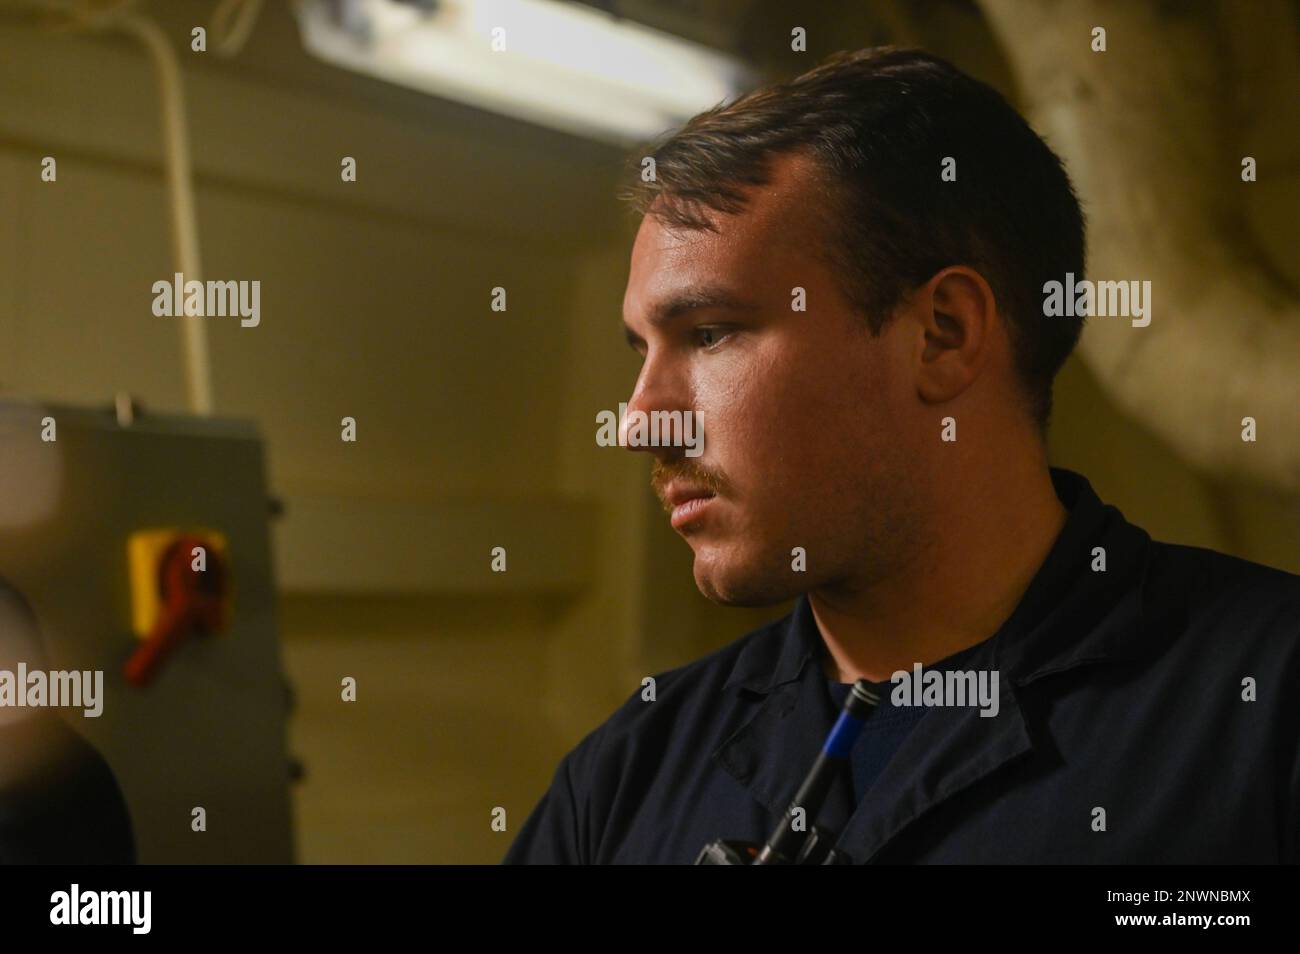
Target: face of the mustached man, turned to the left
805, 430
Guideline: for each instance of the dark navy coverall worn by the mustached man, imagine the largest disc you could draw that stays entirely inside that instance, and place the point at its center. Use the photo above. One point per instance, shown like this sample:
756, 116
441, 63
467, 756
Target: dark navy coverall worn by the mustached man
1120, 690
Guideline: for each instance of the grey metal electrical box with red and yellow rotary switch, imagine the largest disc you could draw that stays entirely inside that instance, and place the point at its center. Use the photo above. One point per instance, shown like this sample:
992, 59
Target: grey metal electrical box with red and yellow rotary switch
210, 730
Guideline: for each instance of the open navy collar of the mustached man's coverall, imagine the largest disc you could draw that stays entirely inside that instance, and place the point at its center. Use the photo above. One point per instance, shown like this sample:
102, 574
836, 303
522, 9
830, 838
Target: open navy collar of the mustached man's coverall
1072, 615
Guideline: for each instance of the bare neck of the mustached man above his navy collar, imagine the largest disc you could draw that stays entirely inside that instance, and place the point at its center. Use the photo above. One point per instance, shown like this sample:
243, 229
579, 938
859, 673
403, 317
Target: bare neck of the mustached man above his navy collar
986, 545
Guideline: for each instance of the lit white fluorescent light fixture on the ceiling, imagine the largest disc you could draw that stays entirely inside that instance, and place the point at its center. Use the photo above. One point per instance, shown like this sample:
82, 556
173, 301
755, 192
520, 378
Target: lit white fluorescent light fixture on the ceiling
554, 64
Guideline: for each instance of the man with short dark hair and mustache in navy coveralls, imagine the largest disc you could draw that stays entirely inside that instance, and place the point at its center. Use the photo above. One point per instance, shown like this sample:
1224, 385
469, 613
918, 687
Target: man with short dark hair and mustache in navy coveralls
843, 277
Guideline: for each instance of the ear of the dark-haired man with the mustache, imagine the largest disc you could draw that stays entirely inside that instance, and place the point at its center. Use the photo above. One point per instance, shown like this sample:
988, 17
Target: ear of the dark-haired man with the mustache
956, 310
